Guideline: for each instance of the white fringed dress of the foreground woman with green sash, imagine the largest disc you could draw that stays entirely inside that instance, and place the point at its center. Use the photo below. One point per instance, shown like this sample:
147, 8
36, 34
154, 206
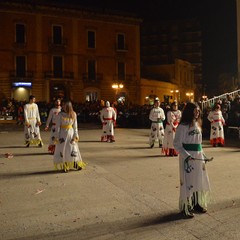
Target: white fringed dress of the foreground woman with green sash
194, 180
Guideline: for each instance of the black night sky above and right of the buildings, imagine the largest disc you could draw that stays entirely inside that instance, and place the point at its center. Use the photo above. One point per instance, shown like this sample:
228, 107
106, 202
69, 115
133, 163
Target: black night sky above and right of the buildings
218, 18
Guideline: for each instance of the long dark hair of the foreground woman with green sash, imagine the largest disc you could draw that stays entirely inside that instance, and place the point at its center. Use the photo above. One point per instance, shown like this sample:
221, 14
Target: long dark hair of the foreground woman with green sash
188, 115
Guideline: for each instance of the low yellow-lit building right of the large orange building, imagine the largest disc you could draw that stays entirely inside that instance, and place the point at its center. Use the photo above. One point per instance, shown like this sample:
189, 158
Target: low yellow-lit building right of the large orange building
169, 82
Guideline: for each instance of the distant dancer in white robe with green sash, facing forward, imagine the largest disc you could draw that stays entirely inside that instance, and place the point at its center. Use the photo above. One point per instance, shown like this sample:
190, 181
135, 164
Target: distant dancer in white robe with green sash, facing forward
157, 116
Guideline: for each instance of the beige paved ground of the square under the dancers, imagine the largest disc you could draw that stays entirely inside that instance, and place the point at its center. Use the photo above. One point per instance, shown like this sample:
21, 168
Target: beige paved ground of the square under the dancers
127, 191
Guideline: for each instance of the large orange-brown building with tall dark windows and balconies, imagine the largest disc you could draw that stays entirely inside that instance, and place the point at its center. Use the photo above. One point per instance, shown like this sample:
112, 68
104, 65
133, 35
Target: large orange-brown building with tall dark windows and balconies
63, 51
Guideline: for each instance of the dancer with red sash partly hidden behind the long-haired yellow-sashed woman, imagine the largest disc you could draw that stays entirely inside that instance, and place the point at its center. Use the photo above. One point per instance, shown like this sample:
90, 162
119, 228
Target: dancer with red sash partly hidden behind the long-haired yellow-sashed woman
52, 120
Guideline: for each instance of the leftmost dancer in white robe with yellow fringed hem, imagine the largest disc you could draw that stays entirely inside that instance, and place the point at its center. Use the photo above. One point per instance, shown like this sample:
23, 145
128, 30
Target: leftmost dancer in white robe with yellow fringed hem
32, 123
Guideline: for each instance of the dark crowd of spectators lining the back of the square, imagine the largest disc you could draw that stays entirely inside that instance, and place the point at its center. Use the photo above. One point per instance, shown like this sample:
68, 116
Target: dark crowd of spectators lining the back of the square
132, 116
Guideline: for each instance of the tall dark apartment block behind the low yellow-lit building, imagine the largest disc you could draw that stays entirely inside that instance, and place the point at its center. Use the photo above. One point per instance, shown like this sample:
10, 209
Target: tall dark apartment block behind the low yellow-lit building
165, 41
